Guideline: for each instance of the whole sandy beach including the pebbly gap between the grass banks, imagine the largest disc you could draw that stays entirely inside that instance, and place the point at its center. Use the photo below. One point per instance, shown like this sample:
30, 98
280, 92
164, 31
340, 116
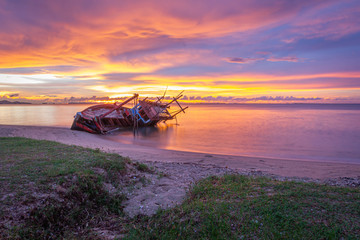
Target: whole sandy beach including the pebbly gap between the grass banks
182, 169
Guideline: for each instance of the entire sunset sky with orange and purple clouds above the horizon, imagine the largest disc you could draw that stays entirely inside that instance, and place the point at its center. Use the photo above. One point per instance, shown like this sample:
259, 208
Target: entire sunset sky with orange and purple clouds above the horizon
228, 50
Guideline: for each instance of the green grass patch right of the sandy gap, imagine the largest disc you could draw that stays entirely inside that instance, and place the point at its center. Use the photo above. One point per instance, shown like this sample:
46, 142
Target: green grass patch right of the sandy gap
239, 207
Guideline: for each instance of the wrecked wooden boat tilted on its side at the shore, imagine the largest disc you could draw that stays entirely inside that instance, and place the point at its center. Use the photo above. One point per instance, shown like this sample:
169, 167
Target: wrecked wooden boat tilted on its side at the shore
105, 118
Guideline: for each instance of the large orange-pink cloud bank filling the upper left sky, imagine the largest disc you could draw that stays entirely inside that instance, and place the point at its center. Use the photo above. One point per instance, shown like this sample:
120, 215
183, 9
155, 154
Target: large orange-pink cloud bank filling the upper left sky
86, 34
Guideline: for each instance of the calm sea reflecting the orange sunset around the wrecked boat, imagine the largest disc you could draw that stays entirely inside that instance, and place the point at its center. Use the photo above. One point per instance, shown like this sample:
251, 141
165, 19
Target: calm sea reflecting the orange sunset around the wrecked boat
294, 131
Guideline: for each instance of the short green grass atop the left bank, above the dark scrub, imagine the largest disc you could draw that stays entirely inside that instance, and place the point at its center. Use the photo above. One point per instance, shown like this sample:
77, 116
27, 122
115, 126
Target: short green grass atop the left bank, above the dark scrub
34, 160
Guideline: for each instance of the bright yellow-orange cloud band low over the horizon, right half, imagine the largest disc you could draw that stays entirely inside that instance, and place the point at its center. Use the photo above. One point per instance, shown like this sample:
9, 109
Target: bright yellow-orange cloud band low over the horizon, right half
250, 84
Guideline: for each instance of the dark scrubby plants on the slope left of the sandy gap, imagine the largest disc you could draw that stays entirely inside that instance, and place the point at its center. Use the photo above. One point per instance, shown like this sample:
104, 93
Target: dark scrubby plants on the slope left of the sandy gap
86, 203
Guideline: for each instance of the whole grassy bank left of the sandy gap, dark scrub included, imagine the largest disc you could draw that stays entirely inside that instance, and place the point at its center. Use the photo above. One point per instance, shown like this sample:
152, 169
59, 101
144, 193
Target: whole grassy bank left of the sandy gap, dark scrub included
31, 166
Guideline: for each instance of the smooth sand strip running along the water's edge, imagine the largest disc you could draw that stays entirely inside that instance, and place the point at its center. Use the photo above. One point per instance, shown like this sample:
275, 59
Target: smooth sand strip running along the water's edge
268, 166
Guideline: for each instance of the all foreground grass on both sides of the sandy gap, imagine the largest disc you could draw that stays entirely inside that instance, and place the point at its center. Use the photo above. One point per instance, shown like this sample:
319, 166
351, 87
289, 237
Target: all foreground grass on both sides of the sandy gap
228, 207
